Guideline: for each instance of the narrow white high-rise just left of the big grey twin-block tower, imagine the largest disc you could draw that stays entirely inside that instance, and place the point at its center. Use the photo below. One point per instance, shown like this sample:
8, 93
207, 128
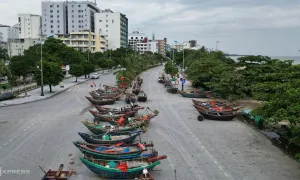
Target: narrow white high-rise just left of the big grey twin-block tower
29, 25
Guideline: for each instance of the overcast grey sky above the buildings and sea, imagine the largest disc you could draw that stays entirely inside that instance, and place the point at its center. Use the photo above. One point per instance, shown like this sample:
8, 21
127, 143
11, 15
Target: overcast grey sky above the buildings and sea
267, 27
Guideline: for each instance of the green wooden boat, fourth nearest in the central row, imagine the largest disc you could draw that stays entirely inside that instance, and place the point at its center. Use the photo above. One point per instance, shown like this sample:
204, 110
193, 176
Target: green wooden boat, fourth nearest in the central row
100, 129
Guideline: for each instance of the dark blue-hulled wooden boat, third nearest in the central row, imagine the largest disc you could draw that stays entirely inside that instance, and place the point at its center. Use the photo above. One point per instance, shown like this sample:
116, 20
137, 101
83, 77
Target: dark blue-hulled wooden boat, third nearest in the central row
111, 138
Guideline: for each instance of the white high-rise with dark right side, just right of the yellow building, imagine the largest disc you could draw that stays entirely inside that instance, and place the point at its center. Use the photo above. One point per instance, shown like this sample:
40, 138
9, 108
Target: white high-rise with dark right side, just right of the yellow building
114, 25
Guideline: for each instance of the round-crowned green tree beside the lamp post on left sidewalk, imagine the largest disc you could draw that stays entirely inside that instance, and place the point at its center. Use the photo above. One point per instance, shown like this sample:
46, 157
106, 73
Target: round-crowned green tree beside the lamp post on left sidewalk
52, 74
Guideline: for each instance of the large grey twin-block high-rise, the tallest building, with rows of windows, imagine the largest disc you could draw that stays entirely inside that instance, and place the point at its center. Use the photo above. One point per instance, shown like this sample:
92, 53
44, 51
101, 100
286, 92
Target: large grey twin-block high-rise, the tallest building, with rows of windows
60, 17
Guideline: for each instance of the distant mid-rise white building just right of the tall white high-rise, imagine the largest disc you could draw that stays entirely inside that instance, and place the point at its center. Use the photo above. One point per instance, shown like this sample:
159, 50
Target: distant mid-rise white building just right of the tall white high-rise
138, 41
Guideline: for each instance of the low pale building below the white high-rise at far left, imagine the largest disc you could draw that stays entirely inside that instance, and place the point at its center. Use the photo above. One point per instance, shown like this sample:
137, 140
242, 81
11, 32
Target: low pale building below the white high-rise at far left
18, 46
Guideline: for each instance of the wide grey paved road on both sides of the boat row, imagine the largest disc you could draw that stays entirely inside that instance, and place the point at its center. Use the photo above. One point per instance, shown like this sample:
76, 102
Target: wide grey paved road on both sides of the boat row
41, 133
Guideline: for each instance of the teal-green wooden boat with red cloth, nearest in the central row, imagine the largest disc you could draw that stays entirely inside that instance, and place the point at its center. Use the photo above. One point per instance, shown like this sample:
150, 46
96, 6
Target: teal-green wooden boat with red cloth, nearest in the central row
129, 169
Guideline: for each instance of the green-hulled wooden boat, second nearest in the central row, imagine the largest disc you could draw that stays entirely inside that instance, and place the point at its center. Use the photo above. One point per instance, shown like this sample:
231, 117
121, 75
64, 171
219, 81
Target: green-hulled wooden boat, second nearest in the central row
112, 152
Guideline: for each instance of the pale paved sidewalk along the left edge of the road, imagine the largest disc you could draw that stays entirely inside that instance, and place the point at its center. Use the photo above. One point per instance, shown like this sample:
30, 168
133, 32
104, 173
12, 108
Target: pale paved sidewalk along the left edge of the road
35, 95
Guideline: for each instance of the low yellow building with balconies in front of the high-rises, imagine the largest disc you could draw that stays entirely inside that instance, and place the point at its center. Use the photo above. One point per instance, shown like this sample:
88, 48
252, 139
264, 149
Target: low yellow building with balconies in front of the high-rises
84, 41
